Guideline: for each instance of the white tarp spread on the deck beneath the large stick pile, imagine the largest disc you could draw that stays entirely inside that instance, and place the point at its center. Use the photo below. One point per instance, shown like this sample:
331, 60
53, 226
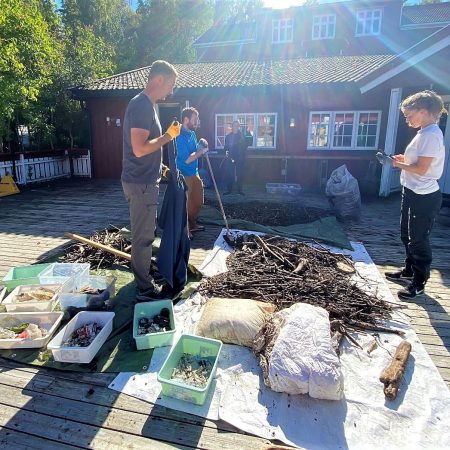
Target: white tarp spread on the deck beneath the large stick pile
364, 419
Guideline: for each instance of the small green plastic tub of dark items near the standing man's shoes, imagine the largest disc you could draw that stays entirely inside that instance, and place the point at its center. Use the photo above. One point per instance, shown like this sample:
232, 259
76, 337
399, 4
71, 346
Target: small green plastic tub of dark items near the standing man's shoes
149, 310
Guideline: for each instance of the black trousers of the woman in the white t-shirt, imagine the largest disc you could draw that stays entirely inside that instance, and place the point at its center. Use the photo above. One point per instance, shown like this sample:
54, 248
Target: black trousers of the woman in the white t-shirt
418, 213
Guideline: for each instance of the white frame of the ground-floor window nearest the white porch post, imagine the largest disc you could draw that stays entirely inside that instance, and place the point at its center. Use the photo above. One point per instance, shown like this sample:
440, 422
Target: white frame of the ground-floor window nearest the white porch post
331, 127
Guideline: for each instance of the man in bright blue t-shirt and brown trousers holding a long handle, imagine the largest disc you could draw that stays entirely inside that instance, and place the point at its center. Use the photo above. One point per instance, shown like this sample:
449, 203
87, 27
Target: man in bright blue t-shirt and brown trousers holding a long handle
188, 152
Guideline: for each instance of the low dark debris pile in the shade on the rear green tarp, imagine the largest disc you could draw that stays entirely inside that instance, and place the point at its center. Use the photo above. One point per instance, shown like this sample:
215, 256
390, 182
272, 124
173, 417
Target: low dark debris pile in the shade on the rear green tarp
272, 214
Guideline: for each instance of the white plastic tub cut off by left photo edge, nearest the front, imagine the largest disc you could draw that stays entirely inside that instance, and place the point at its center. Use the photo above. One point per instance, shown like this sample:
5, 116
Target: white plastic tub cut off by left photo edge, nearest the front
47, 320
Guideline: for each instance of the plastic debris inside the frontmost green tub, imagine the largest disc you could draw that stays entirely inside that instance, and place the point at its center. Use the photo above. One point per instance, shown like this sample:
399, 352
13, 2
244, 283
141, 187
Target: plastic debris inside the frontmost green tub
193, 370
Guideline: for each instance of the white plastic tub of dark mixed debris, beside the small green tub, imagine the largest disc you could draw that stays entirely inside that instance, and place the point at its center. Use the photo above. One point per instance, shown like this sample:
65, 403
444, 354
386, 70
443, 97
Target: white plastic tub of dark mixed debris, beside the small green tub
82, 355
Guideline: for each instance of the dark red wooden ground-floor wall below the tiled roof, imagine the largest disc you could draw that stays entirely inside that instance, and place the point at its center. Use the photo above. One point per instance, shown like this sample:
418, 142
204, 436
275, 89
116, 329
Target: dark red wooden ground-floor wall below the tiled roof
307, 167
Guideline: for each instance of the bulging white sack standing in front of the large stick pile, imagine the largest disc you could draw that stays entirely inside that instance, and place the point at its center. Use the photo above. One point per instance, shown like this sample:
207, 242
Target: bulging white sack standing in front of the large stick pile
303, 360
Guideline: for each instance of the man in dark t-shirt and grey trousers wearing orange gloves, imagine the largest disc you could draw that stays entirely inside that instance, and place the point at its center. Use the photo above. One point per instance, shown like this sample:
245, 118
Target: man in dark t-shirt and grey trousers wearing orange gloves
141, 170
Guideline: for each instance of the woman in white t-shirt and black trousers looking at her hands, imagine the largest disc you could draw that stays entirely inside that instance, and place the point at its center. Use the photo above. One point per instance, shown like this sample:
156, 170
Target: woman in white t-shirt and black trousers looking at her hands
422, 165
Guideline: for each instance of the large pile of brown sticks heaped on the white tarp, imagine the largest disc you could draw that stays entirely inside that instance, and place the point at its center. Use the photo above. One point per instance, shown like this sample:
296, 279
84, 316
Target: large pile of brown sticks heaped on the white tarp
285, 272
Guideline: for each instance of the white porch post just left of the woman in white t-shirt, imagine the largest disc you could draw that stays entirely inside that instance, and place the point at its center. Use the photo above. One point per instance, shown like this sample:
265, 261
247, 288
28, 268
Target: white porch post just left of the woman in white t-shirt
391, 138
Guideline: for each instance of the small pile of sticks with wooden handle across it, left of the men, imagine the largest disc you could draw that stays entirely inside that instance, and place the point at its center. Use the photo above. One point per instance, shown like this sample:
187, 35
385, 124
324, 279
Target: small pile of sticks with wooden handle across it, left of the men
99, 258
